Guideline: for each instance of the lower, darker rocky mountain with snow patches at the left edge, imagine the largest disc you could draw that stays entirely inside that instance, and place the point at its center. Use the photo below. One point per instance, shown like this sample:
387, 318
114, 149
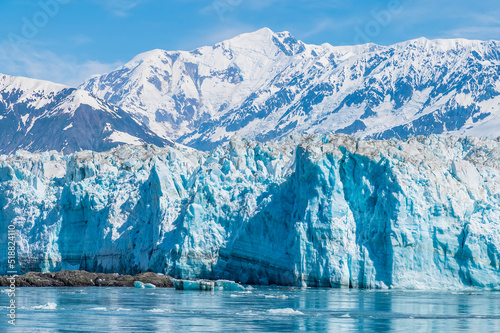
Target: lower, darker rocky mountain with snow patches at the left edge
39, 116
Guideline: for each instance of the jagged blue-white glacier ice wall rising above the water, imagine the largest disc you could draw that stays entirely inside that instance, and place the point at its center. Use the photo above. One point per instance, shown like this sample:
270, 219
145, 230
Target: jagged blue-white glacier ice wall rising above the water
326, 210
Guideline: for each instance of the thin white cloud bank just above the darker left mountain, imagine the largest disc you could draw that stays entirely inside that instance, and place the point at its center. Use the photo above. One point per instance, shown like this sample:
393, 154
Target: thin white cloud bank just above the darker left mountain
45, 65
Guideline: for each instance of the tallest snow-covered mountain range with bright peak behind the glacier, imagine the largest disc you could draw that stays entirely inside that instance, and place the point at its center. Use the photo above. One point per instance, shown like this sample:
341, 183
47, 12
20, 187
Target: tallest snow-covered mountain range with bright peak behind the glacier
265, 85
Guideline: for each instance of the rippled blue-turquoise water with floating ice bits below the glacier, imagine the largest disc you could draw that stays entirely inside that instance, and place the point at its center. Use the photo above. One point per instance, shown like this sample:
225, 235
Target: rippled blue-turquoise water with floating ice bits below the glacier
258, 310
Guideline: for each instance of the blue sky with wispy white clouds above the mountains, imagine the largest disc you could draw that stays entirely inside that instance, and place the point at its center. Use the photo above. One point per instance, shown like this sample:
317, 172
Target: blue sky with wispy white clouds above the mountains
67, 41
